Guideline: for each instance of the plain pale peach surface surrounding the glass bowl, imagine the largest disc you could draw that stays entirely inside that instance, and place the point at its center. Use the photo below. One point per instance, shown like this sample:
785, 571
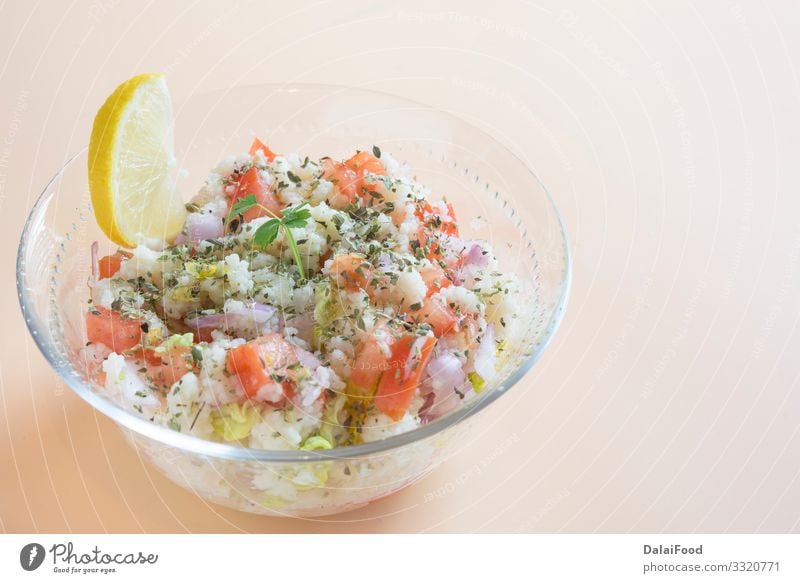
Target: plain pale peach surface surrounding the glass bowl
669, 135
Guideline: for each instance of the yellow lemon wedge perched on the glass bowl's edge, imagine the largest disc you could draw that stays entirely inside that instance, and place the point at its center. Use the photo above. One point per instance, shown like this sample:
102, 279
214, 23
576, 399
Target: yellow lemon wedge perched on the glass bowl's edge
132, 164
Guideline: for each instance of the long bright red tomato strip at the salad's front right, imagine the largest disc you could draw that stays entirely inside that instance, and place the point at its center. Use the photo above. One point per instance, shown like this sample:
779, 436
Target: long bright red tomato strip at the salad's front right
410, 355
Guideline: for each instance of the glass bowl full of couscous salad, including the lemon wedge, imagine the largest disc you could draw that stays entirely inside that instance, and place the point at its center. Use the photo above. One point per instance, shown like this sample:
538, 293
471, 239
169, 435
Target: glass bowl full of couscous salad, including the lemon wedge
310, 330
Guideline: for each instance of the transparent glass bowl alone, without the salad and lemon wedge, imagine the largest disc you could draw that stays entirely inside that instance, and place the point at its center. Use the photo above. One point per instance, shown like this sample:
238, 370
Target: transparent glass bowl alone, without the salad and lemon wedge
496, 197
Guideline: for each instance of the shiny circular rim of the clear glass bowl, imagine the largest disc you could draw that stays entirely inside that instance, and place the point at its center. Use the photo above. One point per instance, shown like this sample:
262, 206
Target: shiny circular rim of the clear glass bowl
207, 448
